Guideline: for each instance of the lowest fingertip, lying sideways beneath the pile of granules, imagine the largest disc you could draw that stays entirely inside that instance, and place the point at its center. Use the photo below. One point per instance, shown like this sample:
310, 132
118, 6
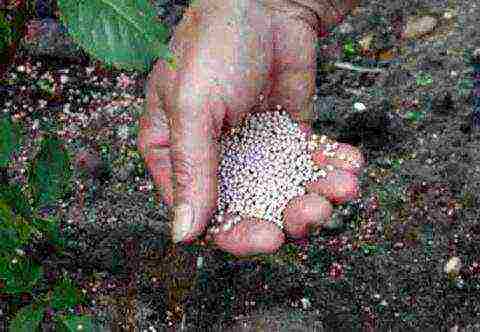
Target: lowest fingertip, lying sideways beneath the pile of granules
247, 236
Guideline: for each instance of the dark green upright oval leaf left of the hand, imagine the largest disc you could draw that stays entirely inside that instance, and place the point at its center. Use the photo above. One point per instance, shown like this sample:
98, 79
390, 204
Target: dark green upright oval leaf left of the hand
50, 173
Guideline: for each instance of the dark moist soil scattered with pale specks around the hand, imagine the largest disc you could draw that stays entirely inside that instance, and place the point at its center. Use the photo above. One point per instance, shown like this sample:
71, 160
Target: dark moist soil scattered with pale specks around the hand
382, 268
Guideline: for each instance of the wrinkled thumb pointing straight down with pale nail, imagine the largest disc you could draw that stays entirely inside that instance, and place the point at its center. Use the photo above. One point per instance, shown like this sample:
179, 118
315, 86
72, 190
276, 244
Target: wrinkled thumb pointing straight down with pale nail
195, 159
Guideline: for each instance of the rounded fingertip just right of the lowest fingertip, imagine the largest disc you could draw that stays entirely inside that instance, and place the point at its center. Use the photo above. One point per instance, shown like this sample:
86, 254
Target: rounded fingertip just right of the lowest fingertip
304, 213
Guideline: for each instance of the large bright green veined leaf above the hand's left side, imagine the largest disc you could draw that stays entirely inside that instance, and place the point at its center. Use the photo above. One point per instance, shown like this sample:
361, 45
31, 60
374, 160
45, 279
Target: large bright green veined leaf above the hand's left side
122, 33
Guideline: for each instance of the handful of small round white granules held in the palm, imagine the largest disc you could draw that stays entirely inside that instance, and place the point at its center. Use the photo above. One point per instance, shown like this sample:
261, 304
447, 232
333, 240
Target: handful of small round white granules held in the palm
264, 163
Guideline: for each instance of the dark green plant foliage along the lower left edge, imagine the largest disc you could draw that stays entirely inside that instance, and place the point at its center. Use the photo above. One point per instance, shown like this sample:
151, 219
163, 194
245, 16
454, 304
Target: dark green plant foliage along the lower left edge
20, 224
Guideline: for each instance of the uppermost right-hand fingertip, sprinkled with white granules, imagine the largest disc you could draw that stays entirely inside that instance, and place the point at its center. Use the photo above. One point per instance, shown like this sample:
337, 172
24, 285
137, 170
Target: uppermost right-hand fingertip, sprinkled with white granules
339, 155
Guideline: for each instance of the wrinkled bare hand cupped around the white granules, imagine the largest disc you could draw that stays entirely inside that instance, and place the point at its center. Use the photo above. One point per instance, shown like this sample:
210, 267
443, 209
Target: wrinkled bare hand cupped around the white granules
227, 55
